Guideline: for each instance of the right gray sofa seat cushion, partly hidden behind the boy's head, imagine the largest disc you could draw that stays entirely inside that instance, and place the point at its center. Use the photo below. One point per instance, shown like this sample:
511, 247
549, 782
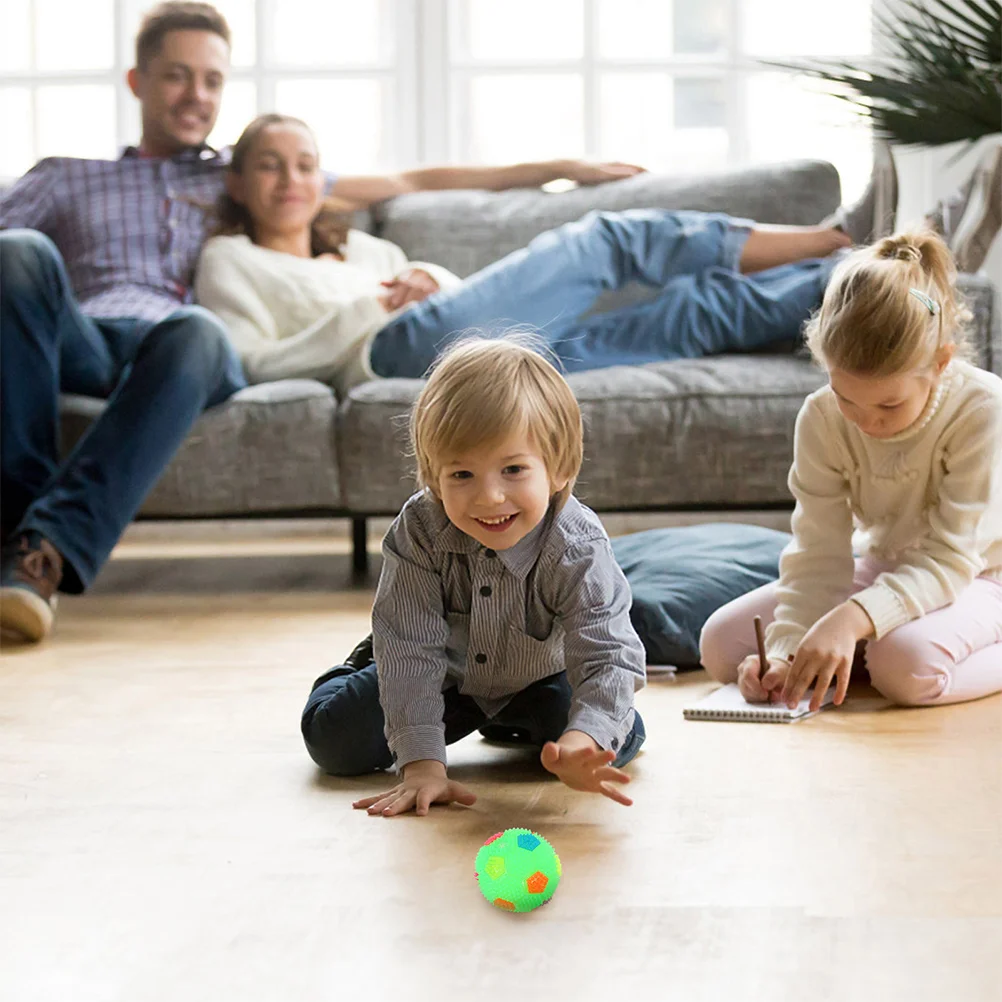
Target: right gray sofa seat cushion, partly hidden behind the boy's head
675, 434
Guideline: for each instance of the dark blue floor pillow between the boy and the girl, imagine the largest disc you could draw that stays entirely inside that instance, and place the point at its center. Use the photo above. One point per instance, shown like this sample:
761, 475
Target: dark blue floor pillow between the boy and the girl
680, 578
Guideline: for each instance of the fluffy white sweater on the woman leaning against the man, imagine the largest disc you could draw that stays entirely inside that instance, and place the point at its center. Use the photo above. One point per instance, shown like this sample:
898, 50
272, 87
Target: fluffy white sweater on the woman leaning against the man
292, 317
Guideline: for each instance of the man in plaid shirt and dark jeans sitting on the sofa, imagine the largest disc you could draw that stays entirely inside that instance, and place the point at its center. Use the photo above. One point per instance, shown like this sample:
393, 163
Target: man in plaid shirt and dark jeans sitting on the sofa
98, 259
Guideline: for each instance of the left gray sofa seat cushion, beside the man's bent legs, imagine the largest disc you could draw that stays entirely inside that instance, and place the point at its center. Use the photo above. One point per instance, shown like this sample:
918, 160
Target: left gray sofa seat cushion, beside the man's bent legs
269, 449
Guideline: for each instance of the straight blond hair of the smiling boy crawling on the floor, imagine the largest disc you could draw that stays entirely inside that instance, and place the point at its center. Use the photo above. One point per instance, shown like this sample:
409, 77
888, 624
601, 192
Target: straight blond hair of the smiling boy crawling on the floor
483, 390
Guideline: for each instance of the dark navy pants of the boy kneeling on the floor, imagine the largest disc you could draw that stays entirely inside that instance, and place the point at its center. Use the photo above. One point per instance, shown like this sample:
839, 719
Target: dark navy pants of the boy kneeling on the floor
343, 721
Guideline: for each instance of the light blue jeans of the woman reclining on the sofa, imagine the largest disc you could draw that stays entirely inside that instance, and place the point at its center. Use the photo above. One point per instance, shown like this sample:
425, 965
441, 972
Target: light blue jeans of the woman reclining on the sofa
704, 307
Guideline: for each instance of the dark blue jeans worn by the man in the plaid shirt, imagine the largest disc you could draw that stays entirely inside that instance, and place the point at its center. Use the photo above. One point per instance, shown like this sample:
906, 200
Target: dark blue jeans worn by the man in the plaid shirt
158, 379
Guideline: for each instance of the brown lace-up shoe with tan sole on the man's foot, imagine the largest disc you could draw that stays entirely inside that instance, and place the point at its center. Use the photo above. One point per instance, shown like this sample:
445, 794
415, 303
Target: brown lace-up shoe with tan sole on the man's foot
31, 573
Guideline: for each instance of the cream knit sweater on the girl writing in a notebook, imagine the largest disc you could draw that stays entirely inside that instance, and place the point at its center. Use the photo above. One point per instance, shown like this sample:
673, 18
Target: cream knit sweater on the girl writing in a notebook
927, 502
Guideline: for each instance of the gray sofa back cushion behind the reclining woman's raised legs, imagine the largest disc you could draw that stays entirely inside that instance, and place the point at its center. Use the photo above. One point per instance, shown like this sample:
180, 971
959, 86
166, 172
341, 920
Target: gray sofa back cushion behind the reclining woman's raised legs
466, 231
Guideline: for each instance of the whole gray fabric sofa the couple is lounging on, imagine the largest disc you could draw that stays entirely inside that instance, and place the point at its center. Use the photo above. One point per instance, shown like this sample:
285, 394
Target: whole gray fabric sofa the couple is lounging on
713, 433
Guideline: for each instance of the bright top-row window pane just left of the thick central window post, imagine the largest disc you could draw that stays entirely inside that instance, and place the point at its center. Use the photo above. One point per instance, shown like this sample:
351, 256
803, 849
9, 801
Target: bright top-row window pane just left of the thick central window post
335, 34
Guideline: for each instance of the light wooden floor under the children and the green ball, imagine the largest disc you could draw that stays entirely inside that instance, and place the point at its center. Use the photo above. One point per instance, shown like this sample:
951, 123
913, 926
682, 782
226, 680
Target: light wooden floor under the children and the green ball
164, 835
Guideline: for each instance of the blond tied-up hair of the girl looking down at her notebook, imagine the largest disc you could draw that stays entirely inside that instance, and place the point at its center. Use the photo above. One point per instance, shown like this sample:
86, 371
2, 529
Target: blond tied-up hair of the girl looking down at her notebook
890, 308
